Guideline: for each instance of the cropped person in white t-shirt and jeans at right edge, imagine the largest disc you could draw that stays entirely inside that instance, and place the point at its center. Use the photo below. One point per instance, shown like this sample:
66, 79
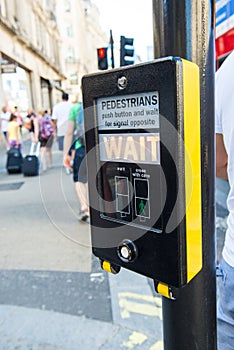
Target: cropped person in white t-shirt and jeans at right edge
224, 127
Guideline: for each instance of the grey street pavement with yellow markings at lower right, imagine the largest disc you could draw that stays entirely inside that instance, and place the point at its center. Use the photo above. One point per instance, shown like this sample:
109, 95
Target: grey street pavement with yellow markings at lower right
53, 294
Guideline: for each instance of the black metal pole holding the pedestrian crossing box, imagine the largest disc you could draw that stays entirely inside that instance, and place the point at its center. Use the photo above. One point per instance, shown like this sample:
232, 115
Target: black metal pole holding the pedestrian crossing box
185, 28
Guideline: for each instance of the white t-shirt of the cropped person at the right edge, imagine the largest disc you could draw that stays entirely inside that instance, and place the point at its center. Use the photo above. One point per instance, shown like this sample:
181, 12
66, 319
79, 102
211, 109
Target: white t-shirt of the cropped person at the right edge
224, 124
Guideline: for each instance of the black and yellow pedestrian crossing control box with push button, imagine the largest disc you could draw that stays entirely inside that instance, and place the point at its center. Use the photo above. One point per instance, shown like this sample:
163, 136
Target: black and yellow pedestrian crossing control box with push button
142, 126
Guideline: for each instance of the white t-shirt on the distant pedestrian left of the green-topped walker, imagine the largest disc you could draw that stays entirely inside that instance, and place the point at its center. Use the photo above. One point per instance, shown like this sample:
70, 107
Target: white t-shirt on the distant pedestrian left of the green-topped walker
61, 114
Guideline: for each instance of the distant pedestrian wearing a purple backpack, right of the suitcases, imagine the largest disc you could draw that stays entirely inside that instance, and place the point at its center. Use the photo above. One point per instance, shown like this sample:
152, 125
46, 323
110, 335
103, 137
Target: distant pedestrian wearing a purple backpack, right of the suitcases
46, 139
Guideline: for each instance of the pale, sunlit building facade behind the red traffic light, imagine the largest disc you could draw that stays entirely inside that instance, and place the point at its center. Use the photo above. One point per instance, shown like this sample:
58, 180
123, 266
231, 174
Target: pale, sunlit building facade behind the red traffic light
81, 35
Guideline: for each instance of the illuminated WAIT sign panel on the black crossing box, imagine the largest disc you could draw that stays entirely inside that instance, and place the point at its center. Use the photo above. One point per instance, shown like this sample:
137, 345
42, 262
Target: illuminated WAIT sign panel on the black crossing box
138, 148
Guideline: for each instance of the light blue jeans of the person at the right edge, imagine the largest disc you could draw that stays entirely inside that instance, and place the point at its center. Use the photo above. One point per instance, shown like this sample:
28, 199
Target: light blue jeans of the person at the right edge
225, 310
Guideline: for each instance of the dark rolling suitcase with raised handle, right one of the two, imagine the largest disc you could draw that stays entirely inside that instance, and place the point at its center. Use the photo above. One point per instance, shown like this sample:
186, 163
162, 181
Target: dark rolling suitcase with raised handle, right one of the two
31, 164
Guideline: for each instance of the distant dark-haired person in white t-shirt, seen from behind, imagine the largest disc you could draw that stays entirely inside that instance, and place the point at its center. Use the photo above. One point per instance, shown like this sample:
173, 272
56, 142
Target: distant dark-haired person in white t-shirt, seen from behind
60, 114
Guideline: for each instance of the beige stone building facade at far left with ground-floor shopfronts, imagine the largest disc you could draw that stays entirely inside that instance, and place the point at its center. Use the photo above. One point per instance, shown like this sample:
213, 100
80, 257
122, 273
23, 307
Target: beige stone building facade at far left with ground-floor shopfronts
30, 54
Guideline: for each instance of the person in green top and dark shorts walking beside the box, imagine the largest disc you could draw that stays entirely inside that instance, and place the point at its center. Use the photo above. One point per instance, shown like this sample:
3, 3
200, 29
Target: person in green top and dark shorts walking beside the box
78, 165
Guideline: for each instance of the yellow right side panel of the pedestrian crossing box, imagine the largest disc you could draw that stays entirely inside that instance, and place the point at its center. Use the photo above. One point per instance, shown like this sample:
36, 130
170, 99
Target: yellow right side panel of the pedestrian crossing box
191, 83
